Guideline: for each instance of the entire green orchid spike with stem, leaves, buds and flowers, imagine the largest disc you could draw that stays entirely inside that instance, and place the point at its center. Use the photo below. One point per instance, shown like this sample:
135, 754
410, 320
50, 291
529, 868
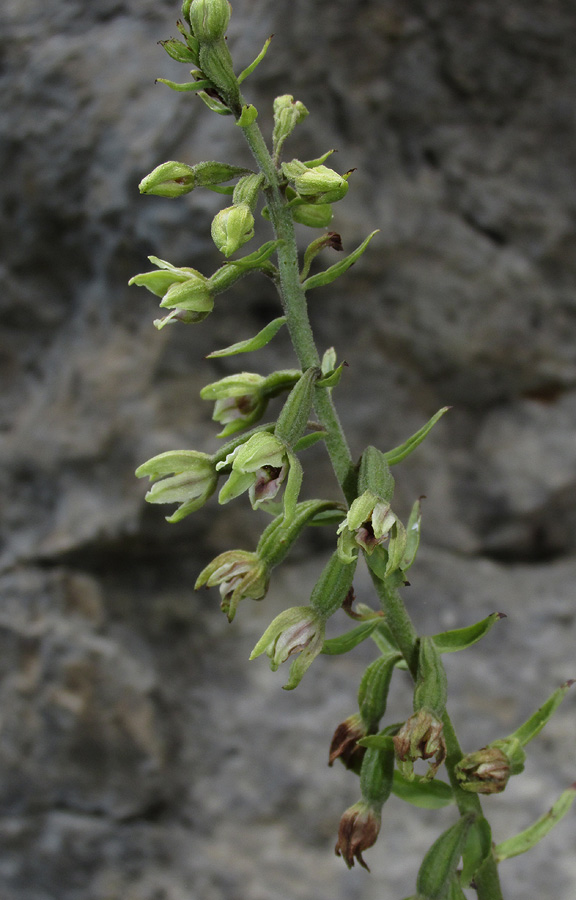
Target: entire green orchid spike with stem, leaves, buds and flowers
264, 461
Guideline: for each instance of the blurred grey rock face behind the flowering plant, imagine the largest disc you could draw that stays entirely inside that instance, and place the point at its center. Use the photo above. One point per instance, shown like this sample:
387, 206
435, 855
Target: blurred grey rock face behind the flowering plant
141, 756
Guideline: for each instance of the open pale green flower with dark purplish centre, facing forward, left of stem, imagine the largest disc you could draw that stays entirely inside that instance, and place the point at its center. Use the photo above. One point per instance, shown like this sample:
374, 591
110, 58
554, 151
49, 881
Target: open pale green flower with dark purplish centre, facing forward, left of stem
259, 466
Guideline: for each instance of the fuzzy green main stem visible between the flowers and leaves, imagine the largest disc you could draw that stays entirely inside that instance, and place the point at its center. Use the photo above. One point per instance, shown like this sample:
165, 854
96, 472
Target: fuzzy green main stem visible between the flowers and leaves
293, 299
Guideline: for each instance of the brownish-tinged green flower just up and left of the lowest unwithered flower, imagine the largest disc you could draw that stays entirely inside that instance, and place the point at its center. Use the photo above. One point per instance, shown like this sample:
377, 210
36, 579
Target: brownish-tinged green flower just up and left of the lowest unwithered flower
240, 574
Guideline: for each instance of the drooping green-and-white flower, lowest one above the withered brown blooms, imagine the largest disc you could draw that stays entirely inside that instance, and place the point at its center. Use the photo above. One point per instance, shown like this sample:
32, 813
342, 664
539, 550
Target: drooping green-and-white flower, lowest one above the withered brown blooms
297, 630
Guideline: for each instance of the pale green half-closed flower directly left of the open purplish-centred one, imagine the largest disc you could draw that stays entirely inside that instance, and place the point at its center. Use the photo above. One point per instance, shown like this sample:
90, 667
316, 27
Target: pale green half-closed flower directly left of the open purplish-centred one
193, 479
